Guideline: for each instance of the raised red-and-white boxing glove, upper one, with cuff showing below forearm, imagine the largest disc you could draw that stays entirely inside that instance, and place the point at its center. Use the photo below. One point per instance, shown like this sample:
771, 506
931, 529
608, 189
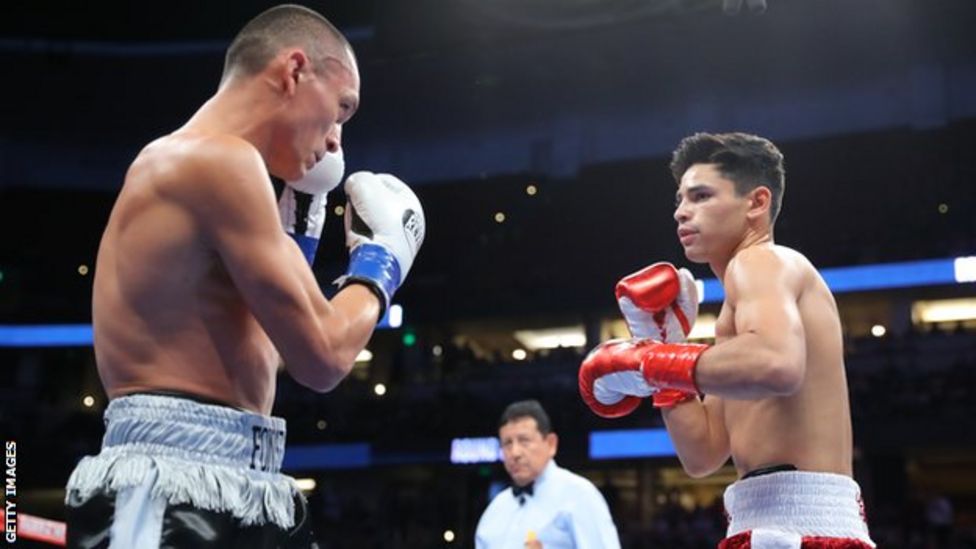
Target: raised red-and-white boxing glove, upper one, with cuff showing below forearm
661, 302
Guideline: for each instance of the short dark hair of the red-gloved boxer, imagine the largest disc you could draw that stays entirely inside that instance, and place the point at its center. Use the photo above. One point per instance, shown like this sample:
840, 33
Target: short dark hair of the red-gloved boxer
747, 160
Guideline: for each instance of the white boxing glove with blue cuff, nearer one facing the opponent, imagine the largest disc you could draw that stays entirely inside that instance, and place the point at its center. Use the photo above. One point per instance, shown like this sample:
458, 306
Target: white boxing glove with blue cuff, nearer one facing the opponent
385, 228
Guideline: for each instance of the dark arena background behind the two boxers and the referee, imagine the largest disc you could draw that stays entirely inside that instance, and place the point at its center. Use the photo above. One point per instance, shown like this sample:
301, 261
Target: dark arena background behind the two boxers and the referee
469, 101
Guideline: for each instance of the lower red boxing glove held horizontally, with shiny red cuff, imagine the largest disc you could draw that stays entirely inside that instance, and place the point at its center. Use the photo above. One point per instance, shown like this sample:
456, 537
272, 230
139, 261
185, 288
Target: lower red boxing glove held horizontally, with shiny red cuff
617, 374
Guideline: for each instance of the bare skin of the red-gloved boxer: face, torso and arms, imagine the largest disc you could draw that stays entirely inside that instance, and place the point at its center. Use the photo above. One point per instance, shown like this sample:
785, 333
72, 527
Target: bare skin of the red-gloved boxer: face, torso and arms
775, 382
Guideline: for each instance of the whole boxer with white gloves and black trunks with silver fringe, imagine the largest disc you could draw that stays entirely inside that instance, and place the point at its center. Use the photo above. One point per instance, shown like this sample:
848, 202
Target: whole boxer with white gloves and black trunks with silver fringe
200, 296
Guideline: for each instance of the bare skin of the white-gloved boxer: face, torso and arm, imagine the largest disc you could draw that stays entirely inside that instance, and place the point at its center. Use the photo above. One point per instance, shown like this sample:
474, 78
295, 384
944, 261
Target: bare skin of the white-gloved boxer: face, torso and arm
197, 288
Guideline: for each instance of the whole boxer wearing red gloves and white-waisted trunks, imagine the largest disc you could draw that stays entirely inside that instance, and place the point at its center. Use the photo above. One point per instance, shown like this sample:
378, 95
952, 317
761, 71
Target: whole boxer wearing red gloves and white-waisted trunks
775, 389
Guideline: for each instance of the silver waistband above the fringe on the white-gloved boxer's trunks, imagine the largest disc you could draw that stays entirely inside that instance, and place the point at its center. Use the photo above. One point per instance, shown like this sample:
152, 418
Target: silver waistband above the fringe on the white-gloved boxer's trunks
181, 428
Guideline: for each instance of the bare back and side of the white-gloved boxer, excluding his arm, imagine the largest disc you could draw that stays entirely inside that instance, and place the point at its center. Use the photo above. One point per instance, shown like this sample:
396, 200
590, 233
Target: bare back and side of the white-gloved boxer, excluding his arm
165, 312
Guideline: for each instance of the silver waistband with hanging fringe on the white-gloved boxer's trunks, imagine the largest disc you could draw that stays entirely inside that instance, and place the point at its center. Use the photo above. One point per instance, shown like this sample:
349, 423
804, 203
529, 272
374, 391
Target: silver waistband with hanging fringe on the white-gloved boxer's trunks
210, 456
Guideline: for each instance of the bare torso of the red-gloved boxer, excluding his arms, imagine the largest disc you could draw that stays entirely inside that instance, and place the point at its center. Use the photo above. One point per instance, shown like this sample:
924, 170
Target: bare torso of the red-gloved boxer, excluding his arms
810, 428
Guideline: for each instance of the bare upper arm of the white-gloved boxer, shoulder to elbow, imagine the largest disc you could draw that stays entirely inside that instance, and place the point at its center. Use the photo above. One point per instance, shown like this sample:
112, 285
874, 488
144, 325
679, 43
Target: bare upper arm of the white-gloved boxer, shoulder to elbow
236, 210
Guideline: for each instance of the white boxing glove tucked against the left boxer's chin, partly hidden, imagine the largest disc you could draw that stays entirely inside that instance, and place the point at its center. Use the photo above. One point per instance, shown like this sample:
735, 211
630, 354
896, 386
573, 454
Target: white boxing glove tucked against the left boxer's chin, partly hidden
303, 202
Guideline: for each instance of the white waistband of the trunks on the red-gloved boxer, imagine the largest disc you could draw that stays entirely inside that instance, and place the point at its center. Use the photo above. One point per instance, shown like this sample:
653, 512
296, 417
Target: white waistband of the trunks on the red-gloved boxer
799, 502
